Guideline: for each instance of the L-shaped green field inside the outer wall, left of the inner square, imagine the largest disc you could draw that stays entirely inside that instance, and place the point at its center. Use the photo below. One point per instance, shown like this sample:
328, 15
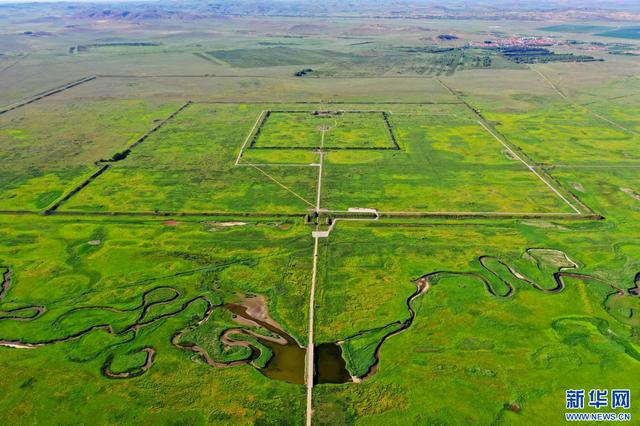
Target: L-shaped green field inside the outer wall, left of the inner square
189, 166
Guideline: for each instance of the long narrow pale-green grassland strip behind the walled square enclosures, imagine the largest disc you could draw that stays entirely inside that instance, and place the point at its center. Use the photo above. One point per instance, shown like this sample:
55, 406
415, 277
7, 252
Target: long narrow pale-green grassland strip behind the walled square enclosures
234, 87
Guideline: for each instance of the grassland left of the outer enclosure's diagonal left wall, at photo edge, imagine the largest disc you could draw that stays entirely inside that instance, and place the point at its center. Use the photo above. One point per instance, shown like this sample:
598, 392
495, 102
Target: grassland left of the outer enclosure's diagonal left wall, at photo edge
48, 147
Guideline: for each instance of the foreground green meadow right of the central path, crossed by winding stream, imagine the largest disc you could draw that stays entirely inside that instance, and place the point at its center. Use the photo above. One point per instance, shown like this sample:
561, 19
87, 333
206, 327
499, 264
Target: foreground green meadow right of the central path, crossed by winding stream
492, 347
